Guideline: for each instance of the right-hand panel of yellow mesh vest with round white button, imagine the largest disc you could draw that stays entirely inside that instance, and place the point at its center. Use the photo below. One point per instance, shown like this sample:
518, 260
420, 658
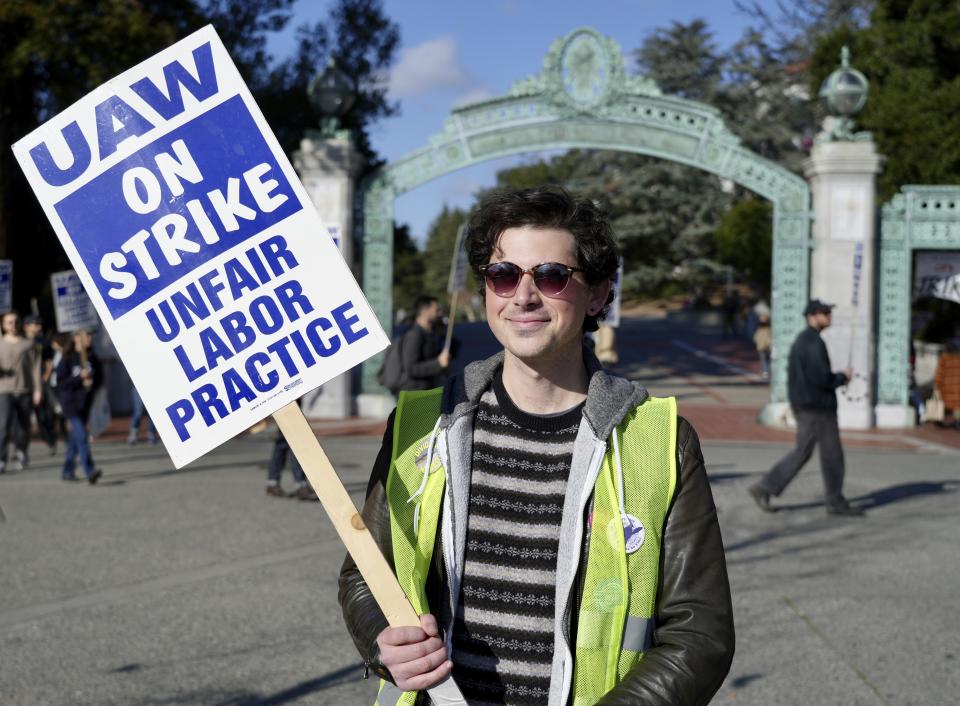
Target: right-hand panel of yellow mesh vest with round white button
615, 623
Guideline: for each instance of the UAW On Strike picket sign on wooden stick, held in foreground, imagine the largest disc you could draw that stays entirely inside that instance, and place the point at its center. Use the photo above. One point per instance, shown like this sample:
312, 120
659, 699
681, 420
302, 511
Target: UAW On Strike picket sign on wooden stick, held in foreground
200, 250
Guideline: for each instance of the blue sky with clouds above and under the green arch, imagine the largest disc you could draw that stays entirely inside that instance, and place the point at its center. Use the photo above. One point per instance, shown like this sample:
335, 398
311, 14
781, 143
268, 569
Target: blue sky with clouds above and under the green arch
453, 52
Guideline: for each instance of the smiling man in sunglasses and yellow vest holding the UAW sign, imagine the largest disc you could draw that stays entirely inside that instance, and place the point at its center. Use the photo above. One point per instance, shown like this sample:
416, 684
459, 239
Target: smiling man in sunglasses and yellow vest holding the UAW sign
551, 522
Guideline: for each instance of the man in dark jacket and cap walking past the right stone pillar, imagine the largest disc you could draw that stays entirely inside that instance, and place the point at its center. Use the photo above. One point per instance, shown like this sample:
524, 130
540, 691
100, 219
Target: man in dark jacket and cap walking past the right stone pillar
812, 389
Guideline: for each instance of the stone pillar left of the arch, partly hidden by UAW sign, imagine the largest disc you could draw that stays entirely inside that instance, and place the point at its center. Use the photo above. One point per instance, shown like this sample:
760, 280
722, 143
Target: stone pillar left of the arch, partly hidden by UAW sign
328, 169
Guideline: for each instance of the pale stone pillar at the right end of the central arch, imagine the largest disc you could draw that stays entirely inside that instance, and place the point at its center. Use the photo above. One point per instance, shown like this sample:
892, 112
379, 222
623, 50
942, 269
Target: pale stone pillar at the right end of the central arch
842, 270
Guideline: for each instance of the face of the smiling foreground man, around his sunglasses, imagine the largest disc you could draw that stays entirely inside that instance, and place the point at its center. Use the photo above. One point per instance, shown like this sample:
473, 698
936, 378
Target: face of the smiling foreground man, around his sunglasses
531, 326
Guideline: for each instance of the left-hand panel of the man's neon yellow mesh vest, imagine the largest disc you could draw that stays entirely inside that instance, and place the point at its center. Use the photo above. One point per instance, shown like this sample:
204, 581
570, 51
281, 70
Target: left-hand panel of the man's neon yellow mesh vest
417, 412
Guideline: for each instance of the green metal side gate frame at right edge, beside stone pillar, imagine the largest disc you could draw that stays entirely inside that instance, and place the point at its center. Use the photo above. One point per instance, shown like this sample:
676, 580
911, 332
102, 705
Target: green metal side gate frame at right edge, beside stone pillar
918, 218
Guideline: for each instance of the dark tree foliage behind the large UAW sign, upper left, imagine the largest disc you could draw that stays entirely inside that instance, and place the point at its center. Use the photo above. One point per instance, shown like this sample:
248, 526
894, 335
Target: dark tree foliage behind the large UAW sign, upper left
56, 51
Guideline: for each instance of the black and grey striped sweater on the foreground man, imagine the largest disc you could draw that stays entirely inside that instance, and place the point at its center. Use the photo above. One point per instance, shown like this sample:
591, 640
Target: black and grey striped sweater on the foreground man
503, 632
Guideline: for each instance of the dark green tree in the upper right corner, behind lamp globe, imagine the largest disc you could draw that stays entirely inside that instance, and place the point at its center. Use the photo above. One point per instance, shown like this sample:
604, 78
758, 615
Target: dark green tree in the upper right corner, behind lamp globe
910, 52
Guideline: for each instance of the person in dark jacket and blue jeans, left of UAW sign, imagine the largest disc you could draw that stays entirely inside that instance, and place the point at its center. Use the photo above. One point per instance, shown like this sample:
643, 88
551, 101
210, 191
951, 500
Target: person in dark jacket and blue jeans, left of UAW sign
79, 375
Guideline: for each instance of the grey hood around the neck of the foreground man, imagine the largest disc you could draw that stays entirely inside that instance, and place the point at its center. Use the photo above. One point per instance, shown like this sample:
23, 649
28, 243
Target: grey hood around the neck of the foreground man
609, 396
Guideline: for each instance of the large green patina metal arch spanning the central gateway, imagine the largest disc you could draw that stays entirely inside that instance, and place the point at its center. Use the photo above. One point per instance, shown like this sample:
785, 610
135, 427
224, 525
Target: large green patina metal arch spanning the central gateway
584, 99
